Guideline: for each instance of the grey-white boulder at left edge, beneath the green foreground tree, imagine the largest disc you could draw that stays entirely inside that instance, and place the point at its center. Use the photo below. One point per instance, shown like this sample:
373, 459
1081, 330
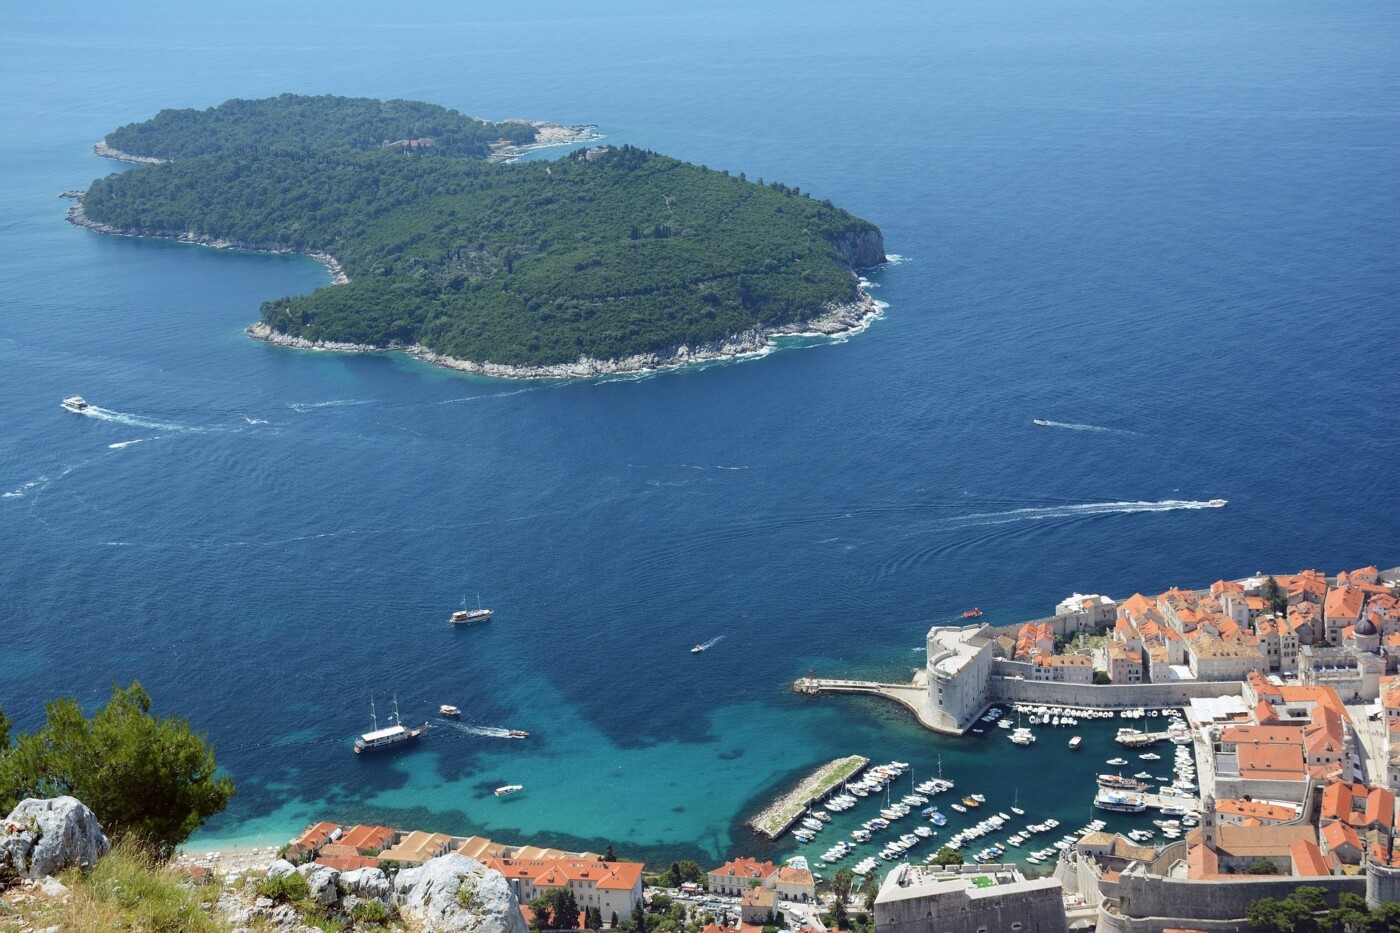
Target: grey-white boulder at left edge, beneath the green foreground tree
45, 837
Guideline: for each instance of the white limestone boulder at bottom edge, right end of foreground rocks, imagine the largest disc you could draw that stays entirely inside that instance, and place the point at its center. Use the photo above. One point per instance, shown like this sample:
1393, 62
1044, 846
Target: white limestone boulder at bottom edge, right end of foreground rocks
430, 896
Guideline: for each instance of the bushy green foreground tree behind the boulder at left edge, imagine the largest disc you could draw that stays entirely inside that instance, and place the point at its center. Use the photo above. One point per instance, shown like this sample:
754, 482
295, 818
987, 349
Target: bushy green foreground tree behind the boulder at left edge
146, 778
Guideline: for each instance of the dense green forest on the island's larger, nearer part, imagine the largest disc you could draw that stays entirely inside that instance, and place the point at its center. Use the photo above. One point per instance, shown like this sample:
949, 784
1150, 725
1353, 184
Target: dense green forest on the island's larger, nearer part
601, 254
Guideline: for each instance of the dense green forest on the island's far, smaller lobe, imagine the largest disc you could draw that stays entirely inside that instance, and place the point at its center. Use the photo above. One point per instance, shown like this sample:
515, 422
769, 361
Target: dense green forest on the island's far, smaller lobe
296, 124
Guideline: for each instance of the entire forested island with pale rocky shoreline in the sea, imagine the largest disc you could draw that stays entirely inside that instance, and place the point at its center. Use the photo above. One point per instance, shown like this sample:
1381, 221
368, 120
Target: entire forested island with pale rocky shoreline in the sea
607, 260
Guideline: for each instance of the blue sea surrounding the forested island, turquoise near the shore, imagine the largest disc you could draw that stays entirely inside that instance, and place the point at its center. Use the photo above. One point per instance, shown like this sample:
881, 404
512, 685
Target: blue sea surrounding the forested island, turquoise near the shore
1170, 228
